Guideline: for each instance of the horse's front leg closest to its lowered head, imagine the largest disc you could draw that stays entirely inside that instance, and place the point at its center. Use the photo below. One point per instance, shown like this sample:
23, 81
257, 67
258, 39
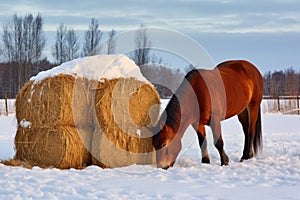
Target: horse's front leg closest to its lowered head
202, 142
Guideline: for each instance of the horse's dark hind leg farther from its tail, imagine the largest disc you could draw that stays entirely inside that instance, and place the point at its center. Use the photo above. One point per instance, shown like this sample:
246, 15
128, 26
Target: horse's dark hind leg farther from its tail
244, 120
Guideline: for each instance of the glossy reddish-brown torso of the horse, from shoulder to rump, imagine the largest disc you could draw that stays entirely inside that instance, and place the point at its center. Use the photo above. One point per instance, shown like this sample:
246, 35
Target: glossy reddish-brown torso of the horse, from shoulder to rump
228, 89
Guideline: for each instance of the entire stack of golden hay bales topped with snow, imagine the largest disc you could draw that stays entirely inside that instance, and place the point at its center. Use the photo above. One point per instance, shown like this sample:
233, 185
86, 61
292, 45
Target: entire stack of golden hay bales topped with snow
65, 121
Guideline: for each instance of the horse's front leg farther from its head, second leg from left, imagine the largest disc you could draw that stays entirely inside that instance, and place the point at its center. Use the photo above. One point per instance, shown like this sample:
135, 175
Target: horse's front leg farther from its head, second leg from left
219, 144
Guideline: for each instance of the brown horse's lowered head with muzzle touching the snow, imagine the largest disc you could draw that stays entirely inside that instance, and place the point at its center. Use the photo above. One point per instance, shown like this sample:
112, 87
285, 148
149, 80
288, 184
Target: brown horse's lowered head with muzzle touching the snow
167, 147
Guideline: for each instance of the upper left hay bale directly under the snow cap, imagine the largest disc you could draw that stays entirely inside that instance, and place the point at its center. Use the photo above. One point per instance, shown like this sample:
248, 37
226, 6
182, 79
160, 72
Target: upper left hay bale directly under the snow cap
61, 100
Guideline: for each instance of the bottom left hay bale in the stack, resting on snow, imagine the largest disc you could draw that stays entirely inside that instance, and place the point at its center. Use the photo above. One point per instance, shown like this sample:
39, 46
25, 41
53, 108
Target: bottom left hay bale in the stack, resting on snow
61, 147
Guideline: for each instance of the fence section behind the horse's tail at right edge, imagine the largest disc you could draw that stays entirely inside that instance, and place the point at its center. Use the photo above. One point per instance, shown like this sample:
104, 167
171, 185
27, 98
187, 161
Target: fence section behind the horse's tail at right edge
282, 104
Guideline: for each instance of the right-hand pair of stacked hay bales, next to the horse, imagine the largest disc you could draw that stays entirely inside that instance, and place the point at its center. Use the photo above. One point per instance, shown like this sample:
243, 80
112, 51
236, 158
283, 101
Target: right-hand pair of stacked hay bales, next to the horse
124, 107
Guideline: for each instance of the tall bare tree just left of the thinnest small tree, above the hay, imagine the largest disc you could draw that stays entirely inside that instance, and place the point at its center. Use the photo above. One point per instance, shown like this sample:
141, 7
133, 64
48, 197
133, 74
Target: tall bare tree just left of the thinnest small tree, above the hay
92, 38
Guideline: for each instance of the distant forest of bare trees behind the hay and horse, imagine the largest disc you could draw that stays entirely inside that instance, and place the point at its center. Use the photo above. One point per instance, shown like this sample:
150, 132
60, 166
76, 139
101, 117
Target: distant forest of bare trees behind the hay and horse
23, 42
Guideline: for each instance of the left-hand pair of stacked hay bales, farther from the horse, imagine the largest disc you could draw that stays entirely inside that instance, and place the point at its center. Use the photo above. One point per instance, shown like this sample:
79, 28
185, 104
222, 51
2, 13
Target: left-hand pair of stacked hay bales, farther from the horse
55, 126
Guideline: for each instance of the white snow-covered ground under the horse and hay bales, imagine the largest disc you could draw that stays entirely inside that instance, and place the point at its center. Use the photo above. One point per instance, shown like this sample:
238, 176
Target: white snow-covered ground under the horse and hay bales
273, 175
